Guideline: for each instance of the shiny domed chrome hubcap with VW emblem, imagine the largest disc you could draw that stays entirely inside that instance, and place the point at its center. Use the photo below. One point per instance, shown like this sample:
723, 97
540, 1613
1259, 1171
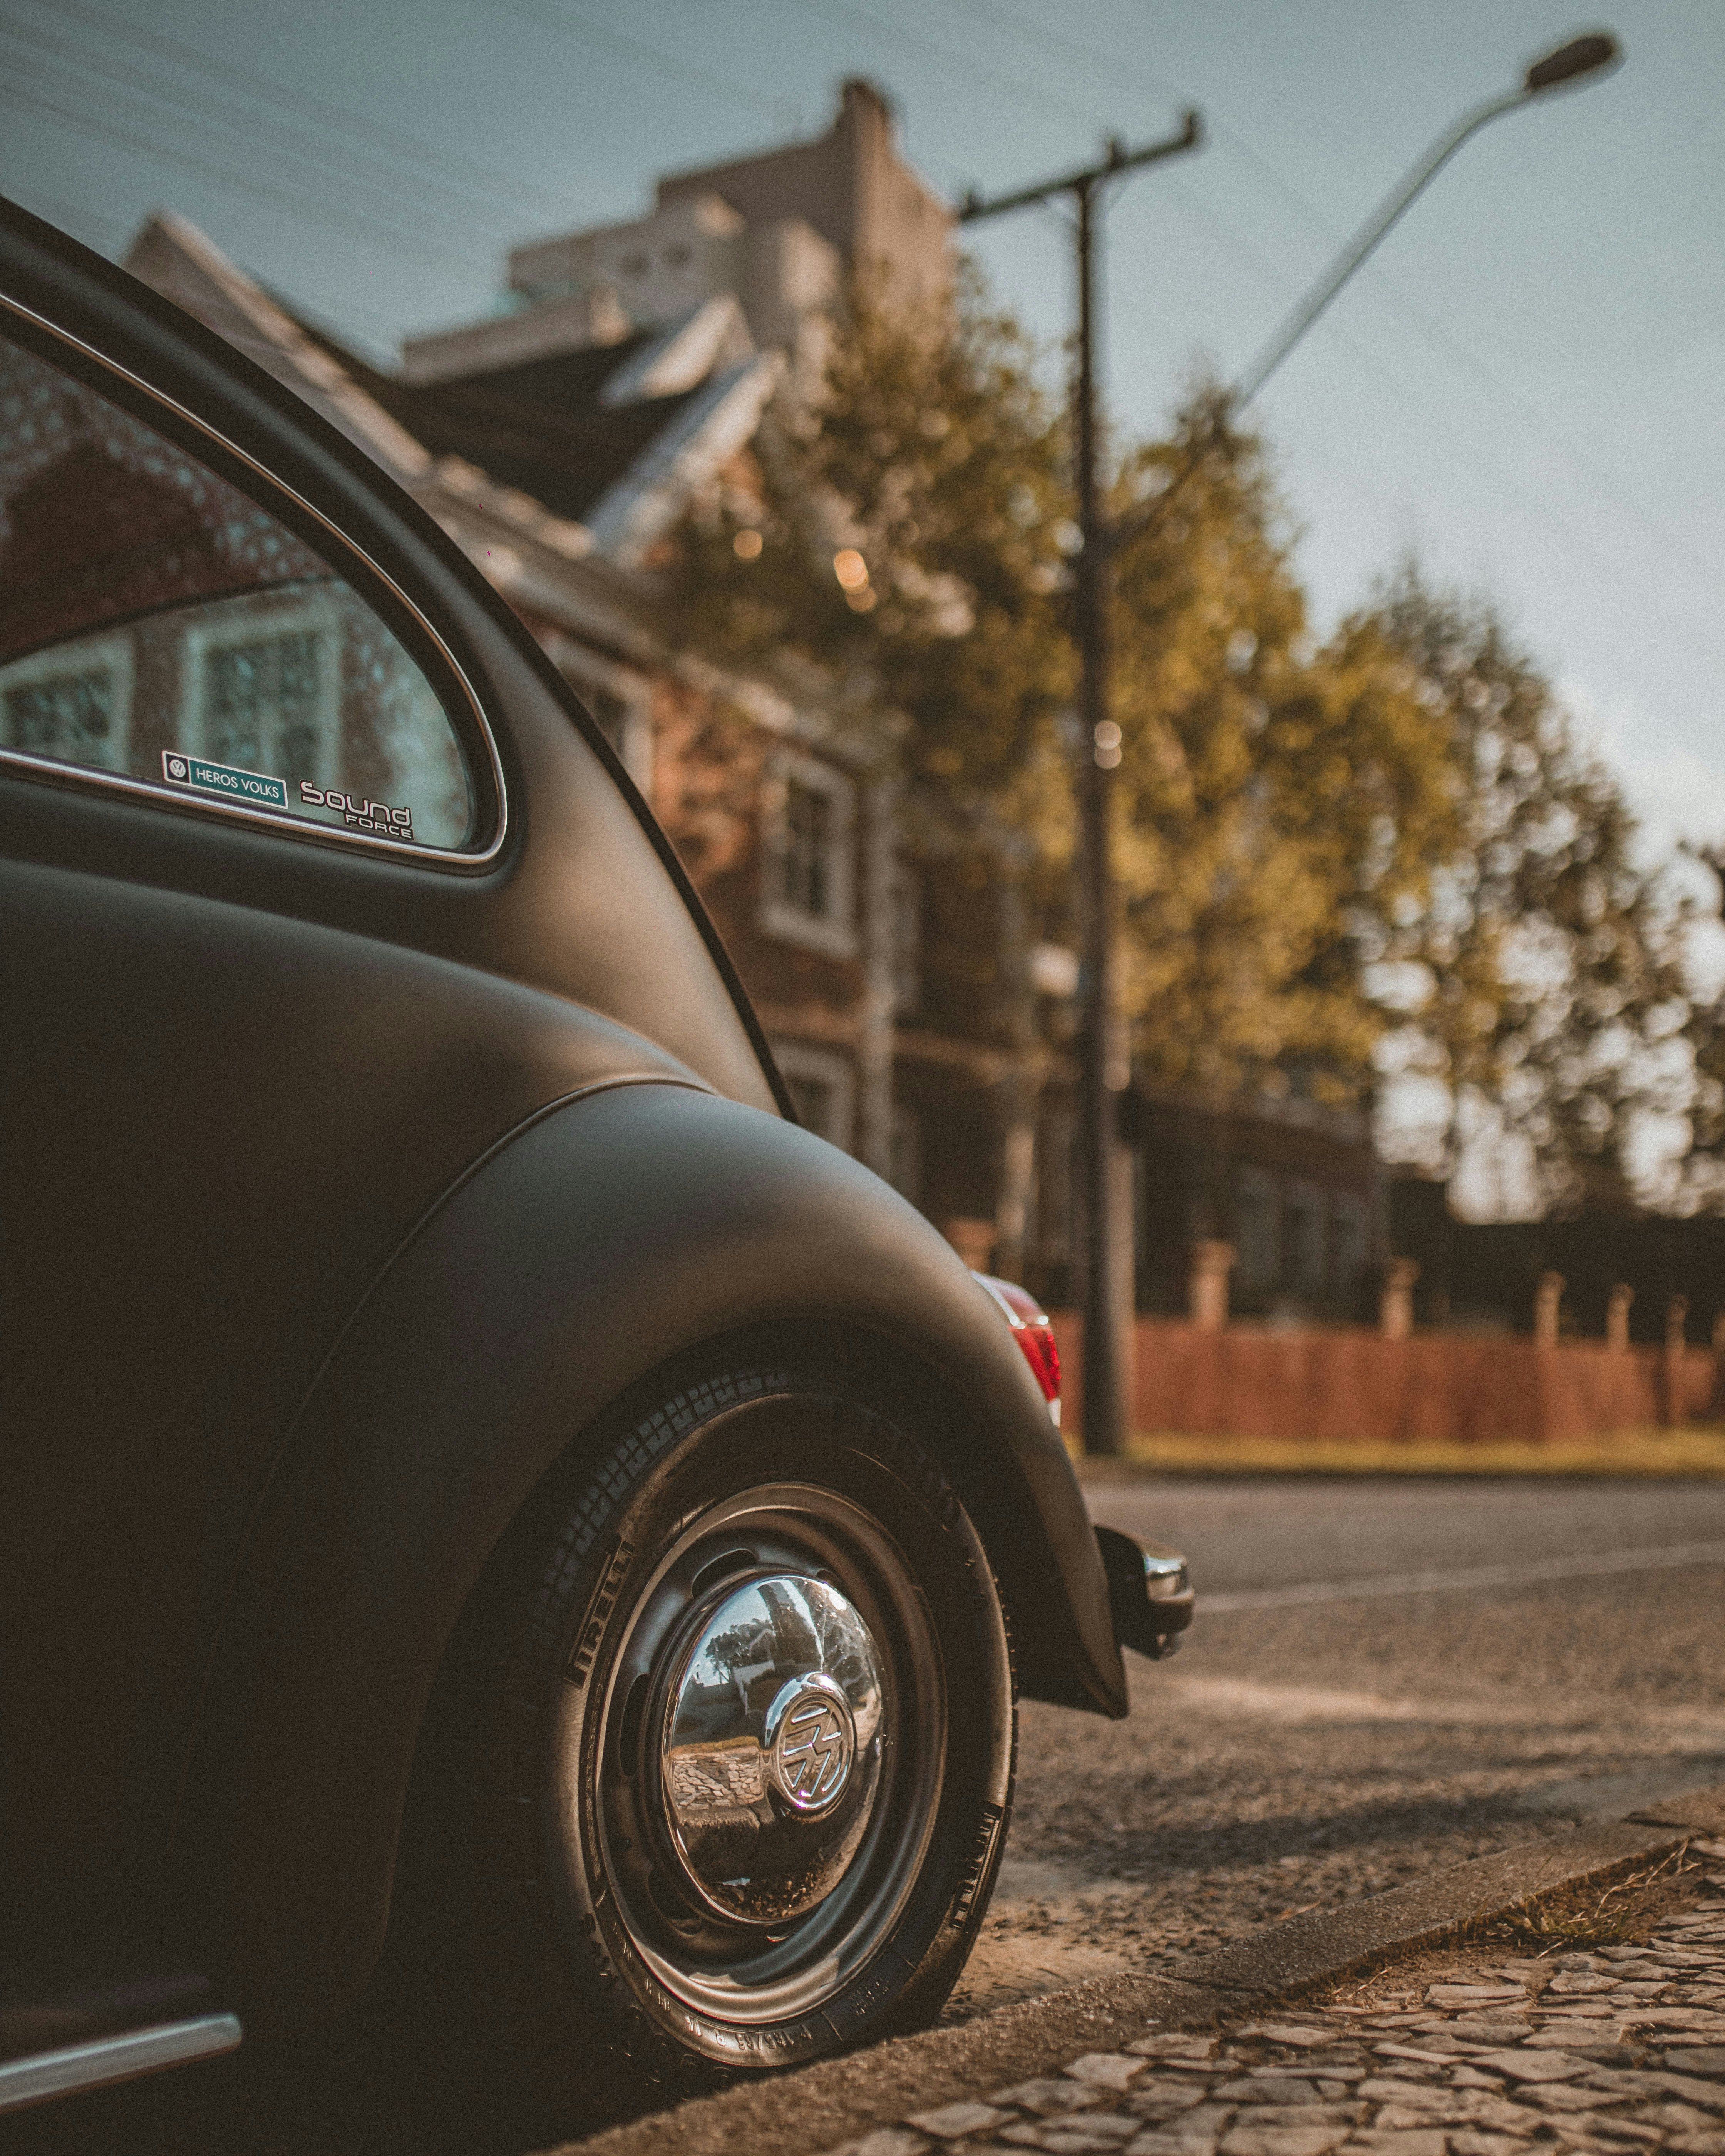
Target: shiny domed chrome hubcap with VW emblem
769, 1745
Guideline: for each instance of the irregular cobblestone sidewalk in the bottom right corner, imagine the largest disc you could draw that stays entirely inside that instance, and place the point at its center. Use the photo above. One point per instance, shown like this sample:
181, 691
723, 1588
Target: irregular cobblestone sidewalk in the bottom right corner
1610, 2054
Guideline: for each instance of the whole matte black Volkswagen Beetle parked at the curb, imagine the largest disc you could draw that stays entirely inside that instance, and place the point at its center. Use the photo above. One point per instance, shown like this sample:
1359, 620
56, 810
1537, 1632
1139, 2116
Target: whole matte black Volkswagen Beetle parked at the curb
469, 1461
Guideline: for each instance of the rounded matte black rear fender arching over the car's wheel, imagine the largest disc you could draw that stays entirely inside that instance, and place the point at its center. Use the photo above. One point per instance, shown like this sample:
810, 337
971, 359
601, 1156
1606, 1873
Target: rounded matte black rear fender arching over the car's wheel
596, 1245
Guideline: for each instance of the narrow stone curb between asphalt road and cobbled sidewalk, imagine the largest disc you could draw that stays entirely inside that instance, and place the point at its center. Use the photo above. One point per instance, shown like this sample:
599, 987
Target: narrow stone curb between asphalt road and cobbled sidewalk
838, 2099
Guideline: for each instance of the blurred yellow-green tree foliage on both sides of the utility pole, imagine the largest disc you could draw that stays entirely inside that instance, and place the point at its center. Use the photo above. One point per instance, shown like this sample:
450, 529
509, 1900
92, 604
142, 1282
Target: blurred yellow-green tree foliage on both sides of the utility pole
1319, 848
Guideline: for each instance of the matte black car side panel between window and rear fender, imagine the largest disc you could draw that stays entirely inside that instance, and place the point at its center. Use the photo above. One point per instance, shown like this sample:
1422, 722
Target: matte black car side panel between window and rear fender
217, 1142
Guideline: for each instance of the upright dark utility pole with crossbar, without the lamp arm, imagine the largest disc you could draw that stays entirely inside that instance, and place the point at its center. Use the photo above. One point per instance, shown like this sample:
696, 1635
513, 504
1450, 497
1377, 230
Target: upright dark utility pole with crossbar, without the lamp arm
1107, 1066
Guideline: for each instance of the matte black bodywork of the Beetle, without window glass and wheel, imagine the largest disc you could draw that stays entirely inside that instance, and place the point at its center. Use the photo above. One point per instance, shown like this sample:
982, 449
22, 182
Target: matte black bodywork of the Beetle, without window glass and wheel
344, 1189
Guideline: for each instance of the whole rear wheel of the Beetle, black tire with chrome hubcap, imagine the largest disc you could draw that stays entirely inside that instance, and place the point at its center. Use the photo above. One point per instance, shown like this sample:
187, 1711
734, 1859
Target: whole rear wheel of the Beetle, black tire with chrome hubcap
631, 1868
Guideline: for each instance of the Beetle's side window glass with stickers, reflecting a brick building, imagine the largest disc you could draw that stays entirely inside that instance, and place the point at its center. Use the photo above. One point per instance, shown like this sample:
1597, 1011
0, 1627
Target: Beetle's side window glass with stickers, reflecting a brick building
158, 624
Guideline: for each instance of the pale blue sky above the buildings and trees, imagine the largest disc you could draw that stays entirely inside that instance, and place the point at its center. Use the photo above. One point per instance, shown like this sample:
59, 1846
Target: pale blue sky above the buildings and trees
1528, 385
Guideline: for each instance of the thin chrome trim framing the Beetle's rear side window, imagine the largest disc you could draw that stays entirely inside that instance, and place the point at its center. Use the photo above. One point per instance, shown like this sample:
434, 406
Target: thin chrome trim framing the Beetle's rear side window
158, 792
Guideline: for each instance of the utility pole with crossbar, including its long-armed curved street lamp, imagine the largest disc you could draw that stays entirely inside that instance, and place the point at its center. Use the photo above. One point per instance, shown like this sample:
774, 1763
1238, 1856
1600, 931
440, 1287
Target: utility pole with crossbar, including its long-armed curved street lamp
1107, 1273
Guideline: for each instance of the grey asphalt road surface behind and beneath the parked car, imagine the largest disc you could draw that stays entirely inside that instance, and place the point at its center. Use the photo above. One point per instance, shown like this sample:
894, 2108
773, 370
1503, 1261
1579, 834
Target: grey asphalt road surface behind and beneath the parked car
1385, 1678
